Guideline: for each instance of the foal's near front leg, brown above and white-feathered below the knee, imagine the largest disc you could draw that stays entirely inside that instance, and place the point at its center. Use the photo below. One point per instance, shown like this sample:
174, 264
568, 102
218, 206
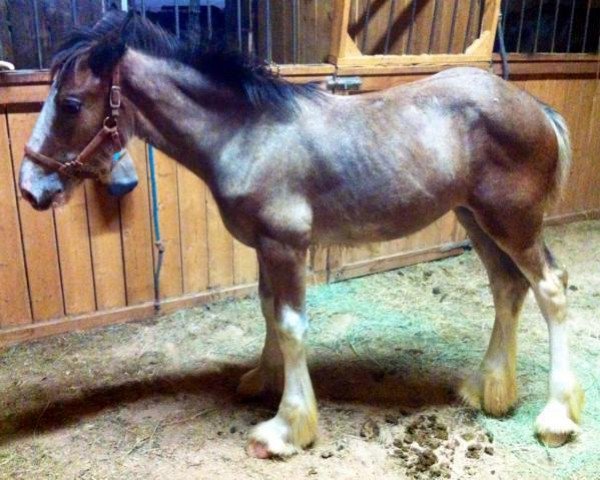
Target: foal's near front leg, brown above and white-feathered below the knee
295, 425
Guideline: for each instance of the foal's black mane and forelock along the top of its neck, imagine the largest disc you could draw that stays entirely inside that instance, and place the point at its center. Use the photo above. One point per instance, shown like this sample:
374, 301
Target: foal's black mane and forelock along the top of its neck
109, 37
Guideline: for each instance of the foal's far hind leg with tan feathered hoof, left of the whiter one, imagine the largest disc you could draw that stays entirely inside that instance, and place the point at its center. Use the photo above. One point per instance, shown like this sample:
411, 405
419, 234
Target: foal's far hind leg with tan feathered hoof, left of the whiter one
493, 387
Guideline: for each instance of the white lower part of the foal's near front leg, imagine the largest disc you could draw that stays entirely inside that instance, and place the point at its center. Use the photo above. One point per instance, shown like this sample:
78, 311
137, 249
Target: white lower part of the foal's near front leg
295, 425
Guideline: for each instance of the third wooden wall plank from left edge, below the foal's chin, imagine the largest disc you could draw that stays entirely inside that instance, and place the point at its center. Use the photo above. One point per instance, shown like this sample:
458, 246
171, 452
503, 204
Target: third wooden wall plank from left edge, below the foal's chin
73, 239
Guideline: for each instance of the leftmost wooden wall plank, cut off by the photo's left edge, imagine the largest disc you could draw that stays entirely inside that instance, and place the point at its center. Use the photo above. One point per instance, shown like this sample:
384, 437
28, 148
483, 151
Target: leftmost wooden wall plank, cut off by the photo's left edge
14, 295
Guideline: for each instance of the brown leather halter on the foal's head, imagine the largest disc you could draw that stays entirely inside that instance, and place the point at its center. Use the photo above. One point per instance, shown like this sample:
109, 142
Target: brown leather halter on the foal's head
109, 131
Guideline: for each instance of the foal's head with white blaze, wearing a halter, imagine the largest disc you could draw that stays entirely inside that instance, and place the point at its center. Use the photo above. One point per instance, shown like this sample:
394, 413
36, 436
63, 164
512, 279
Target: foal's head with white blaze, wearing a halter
82, 129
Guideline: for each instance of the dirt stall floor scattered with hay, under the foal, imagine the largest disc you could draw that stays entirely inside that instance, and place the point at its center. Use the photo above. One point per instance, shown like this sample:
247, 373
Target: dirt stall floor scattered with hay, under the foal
156, 399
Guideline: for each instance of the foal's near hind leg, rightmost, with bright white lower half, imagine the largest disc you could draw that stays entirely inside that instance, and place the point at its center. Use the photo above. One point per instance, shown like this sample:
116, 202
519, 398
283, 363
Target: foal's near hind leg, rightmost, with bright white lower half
520, 237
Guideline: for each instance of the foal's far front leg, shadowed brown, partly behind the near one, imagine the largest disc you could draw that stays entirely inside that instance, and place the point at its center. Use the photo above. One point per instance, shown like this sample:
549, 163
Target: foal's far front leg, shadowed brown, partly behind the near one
268, 375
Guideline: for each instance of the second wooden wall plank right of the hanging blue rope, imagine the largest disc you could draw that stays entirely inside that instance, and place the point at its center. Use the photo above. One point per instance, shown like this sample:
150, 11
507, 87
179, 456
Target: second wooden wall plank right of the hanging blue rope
192, 224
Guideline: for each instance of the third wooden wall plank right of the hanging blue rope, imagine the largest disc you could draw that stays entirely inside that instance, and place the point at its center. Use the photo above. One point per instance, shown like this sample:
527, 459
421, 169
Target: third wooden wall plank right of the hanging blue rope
220, 247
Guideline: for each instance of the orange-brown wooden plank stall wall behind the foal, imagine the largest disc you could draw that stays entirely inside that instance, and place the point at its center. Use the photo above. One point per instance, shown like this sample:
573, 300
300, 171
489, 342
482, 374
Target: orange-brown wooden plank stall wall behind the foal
90, 262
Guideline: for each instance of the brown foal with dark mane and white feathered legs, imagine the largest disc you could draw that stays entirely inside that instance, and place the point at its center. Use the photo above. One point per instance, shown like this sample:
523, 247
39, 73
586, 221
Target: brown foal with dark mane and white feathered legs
291, 166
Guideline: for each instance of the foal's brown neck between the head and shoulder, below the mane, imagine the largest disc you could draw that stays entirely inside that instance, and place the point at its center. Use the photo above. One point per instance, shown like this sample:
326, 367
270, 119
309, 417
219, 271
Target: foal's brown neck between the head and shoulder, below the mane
171, 114
